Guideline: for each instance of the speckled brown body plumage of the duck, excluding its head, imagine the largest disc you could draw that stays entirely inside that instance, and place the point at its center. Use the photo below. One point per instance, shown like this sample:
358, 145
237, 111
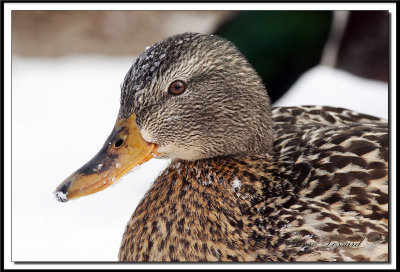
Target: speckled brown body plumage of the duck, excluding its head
326, 179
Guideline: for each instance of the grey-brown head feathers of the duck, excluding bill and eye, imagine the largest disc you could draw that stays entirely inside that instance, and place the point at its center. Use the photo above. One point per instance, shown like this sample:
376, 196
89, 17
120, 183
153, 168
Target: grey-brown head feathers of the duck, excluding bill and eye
223, 94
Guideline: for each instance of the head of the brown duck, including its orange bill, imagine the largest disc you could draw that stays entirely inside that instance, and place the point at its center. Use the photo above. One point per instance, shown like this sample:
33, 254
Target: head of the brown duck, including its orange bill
190, 97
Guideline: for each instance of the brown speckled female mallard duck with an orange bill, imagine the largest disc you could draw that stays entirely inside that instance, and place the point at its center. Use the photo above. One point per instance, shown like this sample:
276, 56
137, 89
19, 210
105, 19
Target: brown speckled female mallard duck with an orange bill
246, 183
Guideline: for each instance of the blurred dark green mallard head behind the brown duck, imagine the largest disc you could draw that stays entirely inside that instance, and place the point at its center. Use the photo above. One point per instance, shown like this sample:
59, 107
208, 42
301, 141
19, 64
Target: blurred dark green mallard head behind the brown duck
281, 45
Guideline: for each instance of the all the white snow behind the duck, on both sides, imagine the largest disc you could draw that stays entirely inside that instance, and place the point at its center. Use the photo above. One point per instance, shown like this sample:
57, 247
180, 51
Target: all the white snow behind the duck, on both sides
64, 108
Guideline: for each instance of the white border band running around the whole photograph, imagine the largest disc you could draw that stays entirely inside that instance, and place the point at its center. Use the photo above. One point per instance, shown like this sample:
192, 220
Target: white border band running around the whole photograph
9, 7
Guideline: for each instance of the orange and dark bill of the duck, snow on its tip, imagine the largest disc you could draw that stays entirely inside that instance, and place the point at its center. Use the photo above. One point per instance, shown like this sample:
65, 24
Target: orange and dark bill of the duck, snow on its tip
123, 150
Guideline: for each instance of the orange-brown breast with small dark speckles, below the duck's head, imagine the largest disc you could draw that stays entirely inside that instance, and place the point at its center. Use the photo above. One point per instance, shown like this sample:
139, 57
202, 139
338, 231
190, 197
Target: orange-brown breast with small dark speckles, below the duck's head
215, 210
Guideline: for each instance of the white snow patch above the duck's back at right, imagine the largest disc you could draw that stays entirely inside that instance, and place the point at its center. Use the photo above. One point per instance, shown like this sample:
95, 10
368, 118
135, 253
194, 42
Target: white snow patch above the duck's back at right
326, 86
